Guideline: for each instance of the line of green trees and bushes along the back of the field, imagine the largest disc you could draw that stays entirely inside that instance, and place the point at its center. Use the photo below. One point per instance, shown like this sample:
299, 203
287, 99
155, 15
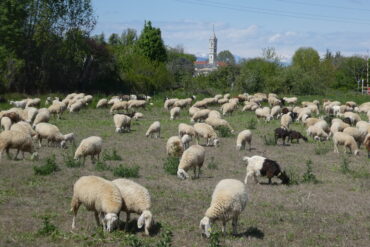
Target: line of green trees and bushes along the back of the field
47, 46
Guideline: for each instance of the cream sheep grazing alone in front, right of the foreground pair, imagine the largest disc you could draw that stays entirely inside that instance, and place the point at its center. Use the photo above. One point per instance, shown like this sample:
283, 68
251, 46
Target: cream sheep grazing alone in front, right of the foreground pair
228, 200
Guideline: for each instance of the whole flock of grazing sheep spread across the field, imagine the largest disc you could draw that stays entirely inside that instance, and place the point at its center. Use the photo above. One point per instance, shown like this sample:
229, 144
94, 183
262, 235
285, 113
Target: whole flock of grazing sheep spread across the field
24, 124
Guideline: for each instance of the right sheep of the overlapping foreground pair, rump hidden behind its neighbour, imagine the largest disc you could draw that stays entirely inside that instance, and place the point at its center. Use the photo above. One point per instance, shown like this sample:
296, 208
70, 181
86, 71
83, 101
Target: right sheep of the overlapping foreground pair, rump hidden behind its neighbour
136, 199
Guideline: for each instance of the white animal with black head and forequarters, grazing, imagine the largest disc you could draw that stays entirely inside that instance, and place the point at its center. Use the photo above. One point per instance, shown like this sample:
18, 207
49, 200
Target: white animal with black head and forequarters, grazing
261, 166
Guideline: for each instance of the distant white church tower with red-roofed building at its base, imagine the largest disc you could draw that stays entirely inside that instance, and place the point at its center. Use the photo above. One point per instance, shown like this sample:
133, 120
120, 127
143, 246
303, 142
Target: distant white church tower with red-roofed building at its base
205, 67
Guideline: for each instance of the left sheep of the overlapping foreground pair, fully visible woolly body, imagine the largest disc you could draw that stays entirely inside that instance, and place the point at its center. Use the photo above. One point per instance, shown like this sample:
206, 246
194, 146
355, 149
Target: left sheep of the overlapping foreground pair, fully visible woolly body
98, 195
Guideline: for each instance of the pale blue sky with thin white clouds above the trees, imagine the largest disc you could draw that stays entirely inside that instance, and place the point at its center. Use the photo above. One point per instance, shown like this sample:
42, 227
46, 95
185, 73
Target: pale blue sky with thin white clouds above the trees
245, 27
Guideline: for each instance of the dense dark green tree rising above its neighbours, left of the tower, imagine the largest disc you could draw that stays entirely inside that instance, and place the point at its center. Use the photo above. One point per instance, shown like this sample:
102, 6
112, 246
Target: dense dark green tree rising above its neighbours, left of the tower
150, 43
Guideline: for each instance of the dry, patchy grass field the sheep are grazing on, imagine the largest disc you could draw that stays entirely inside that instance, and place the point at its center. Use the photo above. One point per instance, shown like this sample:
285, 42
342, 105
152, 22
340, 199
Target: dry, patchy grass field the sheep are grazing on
327, 206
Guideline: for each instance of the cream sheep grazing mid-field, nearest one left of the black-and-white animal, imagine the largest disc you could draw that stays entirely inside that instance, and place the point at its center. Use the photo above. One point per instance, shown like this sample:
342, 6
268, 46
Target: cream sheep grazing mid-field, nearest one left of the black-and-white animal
192, 157
